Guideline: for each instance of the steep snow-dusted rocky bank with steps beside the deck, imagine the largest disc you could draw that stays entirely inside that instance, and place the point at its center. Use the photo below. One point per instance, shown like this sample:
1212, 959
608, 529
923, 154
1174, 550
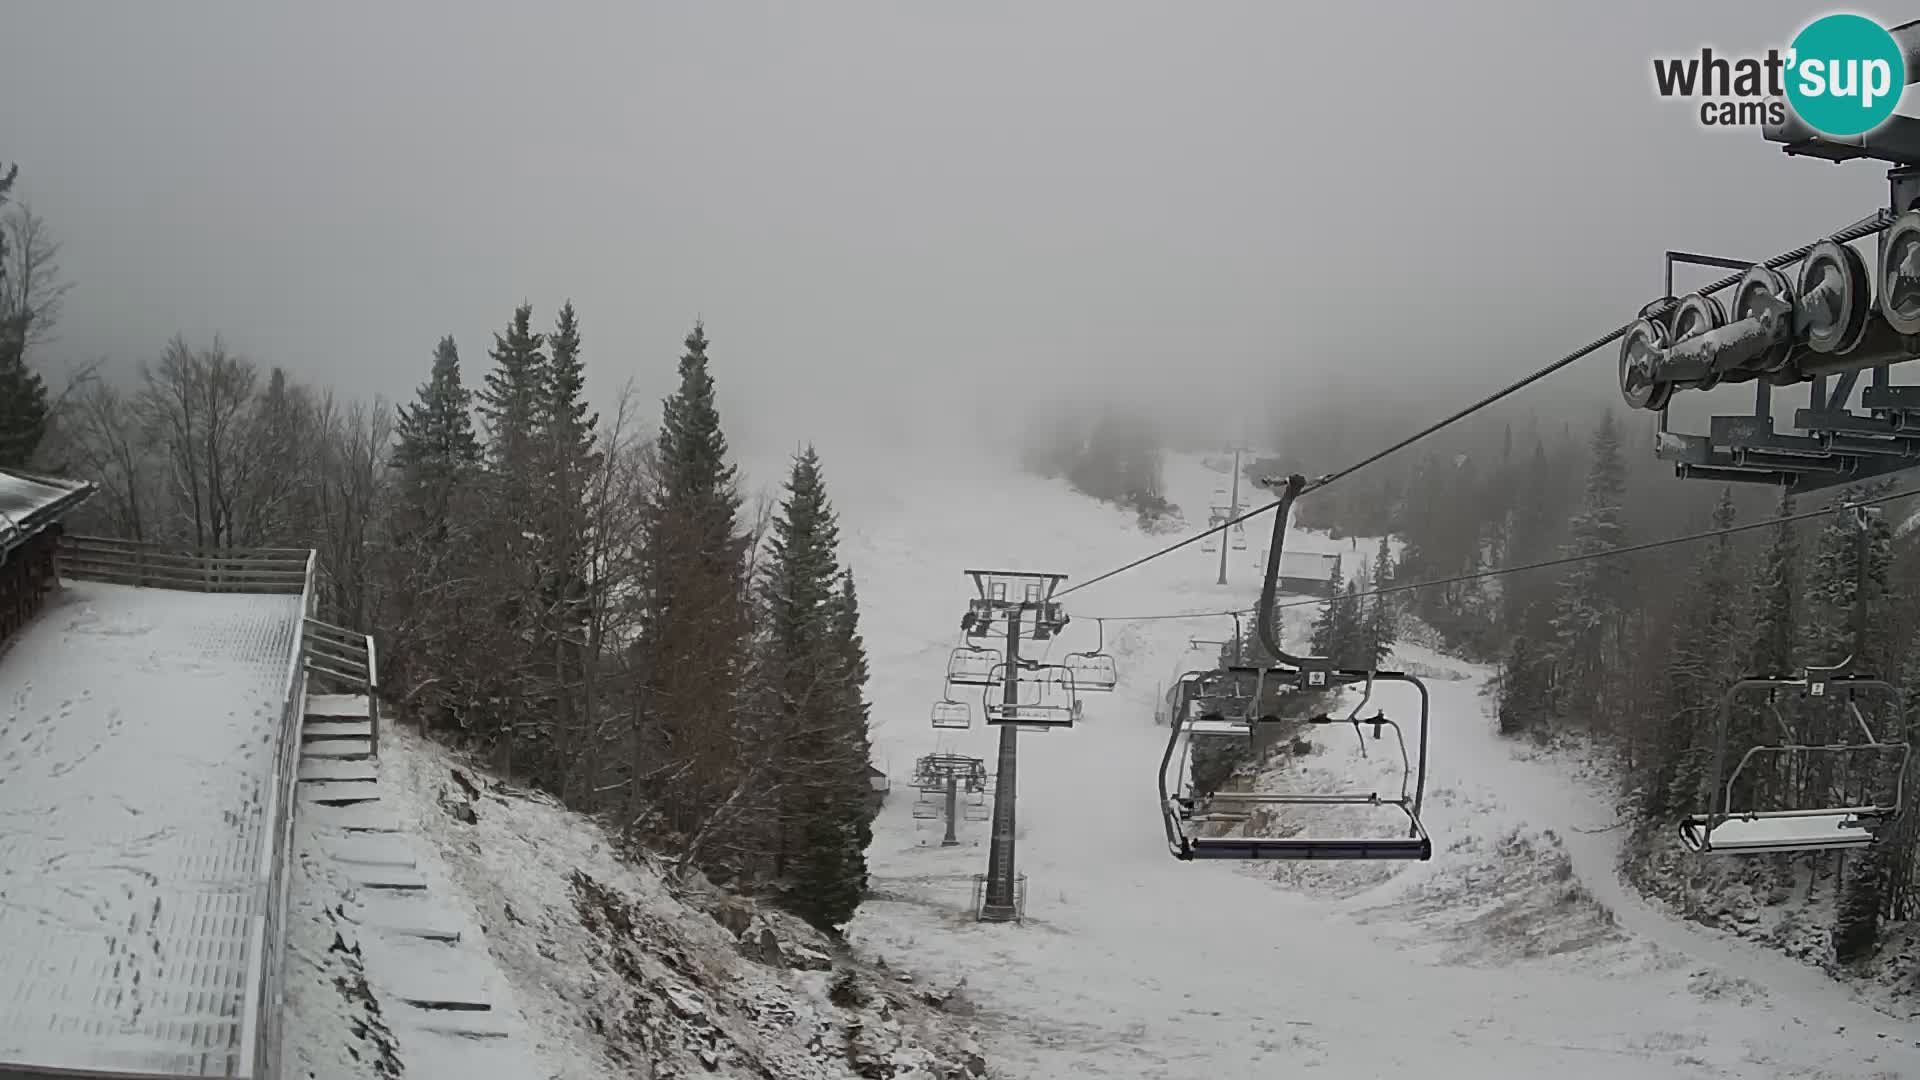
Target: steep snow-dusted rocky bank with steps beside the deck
588, 966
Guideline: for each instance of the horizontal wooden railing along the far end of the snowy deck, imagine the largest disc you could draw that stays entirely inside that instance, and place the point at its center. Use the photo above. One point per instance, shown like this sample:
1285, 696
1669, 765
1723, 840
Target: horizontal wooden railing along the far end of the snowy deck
153, 566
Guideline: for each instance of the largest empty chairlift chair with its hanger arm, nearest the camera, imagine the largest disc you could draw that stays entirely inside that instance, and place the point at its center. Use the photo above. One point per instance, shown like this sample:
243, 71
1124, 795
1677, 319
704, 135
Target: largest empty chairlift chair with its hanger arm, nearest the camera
1180, 802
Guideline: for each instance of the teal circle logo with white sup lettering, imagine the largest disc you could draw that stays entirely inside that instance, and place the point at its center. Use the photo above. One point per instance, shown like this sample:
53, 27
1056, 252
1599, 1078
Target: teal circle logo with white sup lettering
1846, 76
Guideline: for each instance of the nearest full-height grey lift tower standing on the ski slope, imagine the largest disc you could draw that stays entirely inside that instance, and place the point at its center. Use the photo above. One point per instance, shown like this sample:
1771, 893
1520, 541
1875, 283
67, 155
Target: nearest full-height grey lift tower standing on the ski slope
1013, 606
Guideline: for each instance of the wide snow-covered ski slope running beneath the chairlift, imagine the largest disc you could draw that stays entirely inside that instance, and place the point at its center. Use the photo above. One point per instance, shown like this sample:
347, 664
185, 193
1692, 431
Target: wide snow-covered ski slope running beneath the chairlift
1516, 952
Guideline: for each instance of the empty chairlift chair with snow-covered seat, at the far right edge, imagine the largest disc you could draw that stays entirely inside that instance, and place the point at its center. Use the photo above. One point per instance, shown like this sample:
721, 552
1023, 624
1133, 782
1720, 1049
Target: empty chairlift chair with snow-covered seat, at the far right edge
1833, 823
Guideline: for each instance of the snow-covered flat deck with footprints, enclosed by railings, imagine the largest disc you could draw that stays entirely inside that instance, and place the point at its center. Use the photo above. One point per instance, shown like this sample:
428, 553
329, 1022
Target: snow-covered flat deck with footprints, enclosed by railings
135, 752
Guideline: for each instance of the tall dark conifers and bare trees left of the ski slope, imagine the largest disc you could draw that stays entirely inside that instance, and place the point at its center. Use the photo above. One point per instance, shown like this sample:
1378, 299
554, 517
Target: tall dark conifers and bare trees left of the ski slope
583, 601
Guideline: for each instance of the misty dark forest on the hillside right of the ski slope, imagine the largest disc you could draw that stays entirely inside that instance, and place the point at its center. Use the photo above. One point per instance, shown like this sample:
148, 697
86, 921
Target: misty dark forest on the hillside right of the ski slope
1639, 650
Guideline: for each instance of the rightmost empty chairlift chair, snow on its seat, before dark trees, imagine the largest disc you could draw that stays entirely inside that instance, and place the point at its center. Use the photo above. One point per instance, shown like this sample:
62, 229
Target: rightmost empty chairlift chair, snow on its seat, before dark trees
1819, 800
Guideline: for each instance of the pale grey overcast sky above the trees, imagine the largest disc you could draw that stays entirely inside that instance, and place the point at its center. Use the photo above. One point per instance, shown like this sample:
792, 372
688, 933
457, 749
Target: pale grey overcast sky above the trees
880, 205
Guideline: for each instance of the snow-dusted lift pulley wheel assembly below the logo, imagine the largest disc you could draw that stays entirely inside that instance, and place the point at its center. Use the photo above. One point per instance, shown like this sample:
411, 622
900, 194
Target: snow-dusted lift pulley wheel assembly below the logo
1821, 326
